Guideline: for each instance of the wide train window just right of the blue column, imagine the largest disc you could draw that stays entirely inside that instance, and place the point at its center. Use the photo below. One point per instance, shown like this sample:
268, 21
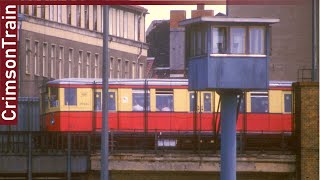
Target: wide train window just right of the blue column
259, 102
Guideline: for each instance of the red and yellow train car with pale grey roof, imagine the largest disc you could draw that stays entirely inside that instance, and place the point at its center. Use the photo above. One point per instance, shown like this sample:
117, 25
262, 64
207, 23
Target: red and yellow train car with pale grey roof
160, 105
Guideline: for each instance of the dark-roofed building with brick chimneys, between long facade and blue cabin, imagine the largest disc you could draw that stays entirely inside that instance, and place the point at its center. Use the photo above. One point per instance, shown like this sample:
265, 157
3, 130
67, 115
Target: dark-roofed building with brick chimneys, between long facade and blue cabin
167, 44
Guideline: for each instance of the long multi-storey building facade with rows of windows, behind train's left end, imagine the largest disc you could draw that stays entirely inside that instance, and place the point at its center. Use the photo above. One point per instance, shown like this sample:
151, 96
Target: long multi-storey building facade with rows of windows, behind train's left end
65, 41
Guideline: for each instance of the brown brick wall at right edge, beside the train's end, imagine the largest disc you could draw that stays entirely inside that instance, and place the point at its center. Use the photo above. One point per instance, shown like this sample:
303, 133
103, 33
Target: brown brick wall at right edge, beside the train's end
306, 103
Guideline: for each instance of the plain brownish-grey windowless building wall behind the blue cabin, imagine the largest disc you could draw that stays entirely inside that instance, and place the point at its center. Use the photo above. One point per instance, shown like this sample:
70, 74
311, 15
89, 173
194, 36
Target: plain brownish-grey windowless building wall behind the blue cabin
293, 47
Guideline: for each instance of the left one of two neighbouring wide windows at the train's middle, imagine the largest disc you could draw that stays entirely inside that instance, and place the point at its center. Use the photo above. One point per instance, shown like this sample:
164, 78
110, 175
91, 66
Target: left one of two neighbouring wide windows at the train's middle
138, 100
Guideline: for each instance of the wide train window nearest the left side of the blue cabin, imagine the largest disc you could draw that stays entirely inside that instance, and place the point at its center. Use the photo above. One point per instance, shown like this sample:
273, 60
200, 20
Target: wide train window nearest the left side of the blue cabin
164, 100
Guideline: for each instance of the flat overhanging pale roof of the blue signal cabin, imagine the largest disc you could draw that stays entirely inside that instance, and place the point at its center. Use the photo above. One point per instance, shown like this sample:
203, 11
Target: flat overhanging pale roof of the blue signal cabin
226, 19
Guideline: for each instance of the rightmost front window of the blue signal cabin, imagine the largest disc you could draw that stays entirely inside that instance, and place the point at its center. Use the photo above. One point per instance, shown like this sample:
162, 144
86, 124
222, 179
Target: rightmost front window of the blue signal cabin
257, 42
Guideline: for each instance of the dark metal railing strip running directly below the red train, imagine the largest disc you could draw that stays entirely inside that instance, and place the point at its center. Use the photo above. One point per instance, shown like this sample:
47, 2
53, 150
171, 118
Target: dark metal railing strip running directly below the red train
87, 143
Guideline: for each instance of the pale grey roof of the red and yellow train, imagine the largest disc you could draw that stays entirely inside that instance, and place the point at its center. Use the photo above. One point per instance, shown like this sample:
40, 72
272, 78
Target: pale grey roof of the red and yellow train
135, 82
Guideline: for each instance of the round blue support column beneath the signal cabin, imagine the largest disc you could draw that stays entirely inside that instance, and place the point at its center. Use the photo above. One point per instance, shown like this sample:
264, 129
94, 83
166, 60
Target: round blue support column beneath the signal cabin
228, 136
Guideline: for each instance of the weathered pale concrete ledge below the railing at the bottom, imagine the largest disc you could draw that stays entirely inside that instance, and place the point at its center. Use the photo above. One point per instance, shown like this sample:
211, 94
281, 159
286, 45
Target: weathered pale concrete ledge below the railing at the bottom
191, 166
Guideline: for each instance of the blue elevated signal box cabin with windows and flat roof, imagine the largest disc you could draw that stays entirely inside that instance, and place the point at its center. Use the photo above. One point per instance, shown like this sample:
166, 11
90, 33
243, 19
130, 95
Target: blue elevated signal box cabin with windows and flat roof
228, 53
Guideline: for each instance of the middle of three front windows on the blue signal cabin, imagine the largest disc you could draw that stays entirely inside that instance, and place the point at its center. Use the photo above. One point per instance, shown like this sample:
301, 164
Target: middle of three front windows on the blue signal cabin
238, 39
